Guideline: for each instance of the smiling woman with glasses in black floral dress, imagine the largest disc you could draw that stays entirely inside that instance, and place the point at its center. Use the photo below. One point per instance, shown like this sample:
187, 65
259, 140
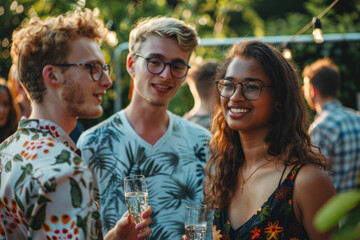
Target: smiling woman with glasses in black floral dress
263, 177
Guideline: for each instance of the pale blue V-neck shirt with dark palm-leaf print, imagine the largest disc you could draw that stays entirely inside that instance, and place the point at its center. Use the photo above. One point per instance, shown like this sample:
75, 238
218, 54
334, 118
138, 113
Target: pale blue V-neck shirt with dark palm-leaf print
173, 167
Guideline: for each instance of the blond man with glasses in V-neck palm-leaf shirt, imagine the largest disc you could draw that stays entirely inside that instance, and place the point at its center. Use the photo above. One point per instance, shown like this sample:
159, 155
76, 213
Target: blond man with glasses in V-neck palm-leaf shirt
147, 139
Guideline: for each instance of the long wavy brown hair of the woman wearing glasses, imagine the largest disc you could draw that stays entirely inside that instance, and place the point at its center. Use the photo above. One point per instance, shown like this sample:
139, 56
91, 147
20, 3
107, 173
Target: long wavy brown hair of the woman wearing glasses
287, 138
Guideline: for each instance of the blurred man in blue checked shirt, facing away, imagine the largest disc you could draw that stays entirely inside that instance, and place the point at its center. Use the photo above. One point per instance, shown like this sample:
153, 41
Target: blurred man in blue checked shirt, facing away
336, 129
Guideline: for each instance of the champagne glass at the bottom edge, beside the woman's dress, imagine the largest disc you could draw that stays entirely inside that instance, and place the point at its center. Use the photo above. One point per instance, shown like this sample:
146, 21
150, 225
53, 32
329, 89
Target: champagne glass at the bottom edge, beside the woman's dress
195, 221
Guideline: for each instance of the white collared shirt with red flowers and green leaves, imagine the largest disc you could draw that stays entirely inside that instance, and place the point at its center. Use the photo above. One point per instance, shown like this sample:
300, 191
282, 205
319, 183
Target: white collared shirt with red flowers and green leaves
45, 187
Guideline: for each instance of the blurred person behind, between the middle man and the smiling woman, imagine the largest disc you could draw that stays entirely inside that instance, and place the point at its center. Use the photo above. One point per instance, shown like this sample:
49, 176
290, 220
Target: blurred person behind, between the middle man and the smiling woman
201, 81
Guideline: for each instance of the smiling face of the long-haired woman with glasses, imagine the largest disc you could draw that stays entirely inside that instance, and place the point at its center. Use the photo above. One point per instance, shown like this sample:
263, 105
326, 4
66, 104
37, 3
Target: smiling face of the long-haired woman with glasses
242, 114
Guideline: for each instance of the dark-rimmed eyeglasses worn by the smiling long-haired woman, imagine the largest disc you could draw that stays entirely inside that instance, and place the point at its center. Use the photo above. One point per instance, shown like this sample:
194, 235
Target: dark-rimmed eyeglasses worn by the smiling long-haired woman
250, 90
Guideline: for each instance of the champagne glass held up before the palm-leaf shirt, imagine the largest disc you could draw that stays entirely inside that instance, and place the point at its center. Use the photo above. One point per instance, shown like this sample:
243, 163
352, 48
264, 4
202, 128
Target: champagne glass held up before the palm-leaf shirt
136, 196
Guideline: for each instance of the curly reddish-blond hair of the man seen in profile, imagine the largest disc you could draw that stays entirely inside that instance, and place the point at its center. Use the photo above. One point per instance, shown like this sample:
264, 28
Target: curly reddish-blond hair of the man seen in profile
49, 41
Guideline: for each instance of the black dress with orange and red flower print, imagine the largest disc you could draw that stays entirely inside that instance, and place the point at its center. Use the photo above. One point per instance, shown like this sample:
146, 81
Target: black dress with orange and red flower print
274, 220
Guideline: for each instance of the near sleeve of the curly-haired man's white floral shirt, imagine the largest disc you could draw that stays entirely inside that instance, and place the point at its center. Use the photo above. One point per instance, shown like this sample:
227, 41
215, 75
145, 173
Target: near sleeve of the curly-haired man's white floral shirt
64, 205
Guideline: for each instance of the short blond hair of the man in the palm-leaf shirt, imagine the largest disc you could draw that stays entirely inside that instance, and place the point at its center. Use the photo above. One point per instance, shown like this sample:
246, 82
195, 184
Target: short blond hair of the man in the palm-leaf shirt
165, 27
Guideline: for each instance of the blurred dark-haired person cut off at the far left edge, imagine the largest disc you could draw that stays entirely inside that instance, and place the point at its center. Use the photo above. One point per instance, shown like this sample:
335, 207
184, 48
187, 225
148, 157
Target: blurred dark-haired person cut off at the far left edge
9, 111
